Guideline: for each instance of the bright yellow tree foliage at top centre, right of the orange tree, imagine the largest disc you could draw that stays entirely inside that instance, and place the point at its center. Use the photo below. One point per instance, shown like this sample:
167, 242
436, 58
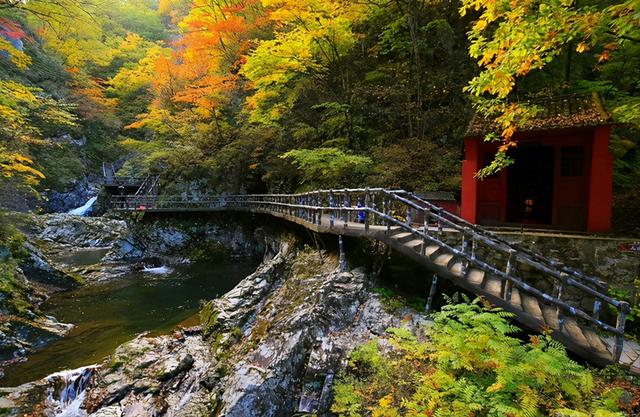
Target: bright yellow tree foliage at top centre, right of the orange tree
310, 37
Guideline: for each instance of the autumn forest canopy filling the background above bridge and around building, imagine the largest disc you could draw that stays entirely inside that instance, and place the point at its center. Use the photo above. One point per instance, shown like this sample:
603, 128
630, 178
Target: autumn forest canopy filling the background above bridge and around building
268, 95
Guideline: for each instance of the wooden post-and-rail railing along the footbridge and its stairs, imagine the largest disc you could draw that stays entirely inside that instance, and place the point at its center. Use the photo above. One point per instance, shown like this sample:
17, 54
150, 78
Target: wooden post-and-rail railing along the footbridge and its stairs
386, 210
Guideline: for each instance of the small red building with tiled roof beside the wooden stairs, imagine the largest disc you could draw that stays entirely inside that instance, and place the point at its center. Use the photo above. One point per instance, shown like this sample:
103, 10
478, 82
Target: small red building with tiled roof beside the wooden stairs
562, 176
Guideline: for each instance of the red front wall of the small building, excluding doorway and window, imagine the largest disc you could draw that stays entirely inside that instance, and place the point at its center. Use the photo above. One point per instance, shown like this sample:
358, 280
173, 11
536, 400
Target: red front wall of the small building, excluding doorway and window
579, 202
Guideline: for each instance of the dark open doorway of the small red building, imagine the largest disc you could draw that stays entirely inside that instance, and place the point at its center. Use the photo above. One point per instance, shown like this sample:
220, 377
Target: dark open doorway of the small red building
530, 185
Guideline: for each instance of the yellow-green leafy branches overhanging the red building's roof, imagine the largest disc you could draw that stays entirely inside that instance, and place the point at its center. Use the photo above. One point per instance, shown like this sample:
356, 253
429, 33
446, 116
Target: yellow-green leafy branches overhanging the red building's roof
512, 40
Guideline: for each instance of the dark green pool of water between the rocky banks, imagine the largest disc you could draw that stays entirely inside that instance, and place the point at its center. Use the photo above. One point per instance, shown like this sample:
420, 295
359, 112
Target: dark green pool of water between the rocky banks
108, 314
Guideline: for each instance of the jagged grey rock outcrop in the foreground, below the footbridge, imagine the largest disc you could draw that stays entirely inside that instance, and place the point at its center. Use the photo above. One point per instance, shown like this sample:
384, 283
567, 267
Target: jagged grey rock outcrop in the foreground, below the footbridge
269, 347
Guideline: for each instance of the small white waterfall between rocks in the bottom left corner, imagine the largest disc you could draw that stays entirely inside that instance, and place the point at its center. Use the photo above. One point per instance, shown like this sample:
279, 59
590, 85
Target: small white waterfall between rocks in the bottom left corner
68, 391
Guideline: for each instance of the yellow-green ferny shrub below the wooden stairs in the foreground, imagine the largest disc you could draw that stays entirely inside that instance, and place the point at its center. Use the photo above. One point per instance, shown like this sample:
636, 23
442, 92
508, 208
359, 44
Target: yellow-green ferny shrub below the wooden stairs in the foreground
468, 365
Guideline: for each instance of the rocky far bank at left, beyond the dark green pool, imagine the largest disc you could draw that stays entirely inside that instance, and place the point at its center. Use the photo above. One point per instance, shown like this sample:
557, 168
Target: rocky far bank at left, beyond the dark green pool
59, 256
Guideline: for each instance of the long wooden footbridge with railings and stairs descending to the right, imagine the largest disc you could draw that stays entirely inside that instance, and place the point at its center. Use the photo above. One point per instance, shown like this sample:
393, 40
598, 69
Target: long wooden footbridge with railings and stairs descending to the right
543, 294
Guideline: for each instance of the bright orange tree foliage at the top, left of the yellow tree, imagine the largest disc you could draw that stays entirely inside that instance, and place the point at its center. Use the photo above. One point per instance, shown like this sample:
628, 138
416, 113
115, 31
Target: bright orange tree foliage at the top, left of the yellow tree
202, 71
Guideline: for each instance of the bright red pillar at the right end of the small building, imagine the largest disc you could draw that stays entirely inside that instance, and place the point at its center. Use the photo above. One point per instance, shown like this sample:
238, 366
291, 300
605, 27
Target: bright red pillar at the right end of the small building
600, 182
